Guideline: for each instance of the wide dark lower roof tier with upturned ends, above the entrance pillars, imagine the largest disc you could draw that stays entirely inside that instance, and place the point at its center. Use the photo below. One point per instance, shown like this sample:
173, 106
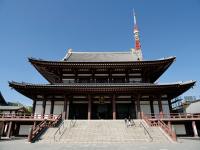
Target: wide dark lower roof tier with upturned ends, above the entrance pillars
145, 89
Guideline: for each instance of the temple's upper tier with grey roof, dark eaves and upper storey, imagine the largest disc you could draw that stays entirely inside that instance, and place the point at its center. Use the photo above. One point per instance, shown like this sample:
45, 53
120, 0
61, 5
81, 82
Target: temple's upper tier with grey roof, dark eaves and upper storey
92, 65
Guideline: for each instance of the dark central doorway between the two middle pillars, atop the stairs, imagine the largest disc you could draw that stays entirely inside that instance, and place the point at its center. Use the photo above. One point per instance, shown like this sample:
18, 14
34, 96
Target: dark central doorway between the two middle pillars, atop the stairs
101, 111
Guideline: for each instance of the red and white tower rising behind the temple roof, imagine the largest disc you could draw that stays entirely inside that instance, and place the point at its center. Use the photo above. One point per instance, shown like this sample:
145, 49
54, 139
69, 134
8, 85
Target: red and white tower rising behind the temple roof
137, 50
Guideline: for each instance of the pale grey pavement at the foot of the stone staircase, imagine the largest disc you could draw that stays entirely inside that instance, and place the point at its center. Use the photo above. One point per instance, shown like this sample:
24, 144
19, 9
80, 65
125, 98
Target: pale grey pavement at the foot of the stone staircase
22, 144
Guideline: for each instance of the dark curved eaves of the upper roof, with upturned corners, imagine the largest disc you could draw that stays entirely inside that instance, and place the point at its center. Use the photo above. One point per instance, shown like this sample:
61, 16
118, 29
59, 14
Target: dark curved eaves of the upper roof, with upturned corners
42, 65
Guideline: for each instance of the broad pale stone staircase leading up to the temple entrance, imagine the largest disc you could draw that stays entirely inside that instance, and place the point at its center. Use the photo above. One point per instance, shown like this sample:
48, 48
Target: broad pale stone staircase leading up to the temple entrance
103, 131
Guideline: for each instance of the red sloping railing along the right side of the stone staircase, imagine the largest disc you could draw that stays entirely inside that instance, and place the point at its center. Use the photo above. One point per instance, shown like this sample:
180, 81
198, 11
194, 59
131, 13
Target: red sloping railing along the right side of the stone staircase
161, 124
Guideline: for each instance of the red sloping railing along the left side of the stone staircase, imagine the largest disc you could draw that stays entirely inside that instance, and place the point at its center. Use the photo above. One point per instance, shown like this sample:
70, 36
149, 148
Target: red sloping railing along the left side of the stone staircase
39, 129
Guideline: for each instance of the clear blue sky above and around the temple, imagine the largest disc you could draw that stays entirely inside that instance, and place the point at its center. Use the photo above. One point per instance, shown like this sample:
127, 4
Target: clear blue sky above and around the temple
46, 29
